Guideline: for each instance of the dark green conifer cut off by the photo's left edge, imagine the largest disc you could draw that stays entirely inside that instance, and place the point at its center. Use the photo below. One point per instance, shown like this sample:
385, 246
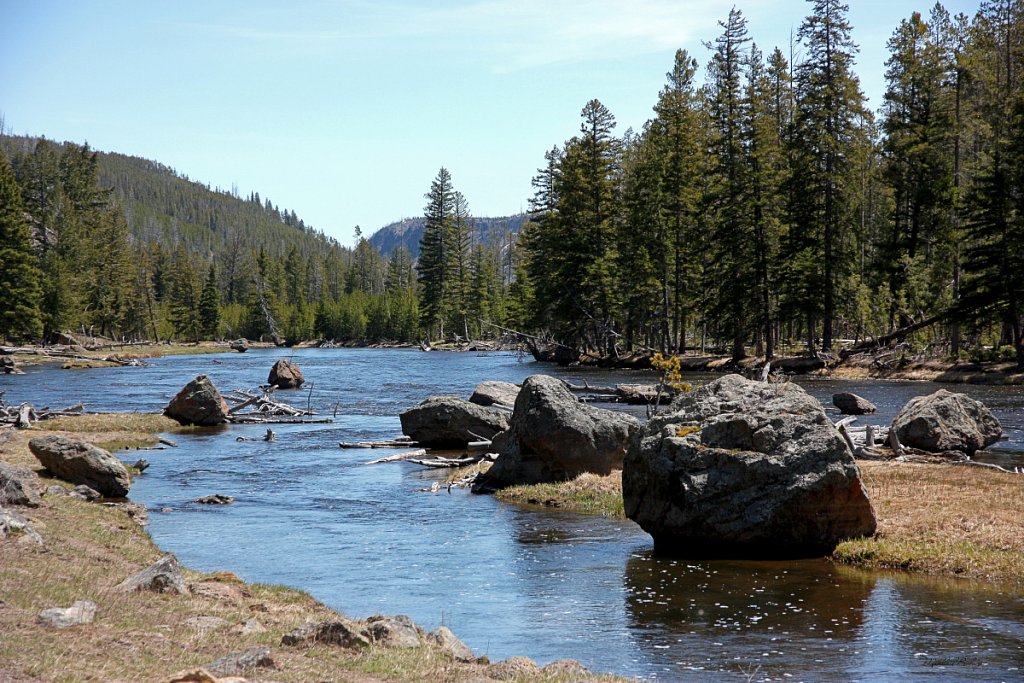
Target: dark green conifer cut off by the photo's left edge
20, 316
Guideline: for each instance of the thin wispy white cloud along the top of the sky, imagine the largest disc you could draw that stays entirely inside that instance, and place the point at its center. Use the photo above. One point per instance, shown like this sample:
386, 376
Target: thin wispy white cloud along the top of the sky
507, 35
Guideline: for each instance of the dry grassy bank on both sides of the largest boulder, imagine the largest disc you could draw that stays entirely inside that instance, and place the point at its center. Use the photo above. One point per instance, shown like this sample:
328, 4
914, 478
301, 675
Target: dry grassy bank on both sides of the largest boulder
933, 520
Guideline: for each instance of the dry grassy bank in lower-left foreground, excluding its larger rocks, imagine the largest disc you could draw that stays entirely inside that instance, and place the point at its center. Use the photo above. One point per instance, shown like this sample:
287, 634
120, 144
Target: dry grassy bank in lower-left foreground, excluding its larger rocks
90, 548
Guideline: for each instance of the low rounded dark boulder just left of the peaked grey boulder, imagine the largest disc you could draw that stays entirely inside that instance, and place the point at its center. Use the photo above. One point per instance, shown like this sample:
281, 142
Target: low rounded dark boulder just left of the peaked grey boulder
448, 422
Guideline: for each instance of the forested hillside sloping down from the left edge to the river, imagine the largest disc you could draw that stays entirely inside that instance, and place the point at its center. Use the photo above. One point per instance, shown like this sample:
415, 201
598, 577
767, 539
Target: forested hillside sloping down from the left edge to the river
127, 249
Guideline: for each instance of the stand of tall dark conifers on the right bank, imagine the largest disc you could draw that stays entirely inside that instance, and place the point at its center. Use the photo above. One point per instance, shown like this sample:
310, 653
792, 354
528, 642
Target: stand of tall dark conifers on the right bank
767, 206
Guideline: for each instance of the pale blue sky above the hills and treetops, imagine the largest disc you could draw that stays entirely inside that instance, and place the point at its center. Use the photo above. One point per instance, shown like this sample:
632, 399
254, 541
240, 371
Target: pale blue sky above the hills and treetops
345, 111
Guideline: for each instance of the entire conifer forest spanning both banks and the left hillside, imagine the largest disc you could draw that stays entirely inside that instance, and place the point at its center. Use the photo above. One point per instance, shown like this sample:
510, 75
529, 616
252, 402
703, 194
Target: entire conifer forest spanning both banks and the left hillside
763, 209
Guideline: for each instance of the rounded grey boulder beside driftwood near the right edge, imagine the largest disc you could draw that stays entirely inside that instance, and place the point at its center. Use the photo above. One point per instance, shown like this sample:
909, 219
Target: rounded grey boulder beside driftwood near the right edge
947, 421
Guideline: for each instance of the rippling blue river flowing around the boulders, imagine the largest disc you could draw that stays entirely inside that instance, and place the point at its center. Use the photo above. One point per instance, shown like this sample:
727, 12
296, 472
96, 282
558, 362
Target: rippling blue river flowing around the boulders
510, 581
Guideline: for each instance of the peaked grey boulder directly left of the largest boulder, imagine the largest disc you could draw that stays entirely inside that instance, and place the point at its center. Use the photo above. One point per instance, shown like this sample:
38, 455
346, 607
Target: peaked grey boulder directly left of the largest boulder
556, 438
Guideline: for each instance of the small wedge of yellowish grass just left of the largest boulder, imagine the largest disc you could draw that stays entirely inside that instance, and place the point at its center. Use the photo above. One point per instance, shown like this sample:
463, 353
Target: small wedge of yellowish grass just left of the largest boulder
588, 494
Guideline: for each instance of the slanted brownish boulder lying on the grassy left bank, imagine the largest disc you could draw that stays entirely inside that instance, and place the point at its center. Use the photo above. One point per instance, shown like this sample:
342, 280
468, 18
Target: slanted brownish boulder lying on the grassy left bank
82, 463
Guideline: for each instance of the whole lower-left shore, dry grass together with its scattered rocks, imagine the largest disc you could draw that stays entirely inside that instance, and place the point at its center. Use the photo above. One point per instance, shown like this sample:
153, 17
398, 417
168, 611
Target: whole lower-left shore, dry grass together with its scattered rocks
88, 594
